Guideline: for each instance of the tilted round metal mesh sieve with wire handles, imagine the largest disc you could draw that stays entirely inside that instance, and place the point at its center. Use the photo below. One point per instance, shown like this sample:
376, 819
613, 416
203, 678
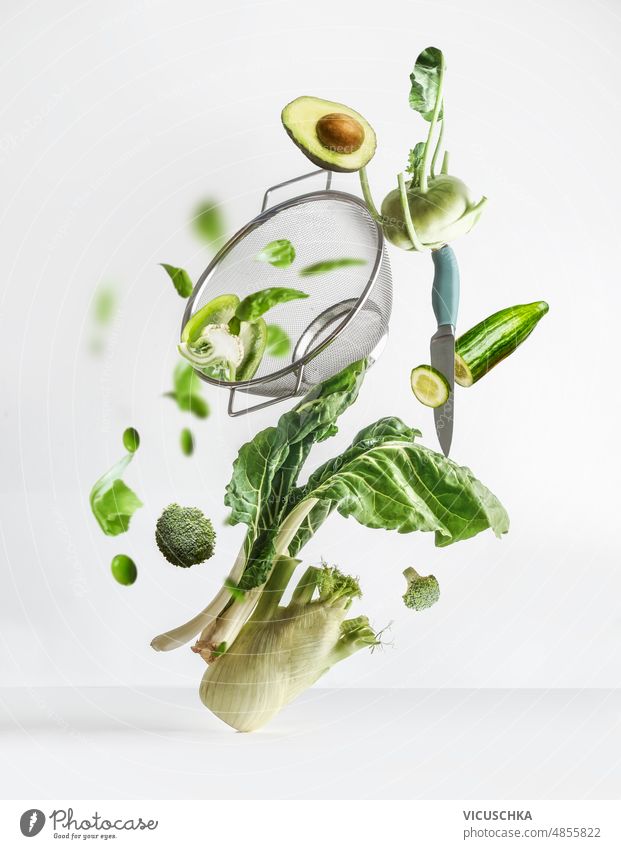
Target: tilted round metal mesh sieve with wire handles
345, 318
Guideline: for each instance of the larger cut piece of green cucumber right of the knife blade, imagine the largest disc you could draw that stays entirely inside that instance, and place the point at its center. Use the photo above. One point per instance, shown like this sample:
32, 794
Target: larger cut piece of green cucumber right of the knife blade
493, 339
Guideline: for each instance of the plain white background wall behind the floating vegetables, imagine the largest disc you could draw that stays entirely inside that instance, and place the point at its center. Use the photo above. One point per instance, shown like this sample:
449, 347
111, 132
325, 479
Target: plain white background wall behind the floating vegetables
116, 119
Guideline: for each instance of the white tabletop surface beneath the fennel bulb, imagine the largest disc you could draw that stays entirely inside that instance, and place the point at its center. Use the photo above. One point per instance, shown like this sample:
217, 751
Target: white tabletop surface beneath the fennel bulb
102, 743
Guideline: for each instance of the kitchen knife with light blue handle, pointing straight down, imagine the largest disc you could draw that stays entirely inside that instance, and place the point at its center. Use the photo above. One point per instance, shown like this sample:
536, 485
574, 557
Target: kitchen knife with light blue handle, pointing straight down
445, 302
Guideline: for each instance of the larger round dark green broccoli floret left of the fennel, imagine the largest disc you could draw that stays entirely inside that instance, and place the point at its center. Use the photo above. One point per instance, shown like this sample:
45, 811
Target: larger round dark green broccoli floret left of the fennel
184, 535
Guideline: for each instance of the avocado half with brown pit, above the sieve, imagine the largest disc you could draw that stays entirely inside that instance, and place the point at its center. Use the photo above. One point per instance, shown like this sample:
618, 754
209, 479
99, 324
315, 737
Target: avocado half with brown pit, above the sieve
332, 135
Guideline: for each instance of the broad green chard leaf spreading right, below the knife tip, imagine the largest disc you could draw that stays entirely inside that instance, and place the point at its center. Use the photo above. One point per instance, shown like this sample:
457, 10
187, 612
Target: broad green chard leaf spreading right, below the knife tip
400, 485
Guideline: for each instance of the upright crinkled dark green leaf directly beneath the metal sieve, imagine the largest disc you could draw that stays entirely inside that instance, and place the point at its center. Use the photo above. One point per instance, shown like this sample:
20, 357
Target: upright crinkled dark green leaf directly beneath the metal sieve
265, 472
